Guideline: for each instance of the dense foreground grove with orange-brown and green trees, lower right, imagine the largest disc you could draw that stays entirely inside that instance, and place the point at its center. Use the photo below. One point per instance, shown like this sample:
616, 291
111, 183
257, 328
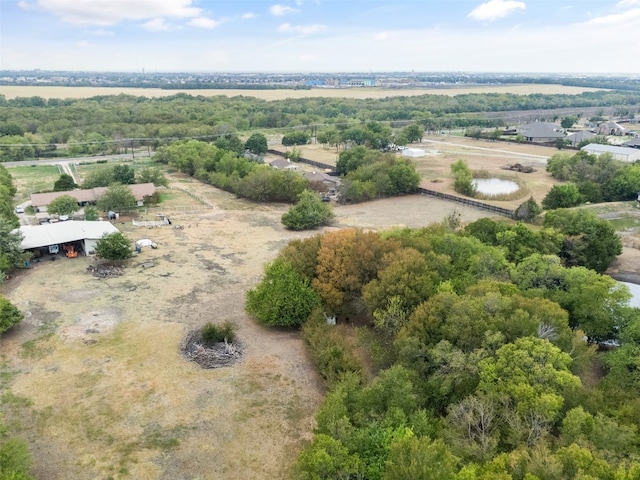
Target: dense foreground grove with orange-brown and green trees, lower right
478, 364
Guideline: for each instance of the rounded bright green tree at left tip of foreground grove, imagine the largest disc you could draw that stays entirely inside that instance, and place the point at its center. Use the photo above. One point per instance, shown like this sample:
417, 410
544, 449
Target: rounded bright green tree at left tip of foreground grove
283, 298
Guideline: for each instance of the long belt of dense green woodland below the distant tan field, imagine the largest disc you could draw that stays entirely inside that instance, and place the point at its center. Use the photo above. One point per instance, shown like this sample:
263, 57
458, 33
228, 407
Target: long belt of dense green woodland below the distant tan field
113, 124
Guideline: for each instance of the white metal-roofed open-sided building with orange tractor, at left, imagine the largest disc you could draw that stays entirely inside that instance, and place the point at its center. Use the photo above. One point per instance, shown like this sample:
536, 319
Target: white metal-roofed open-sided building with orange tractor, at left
83, 236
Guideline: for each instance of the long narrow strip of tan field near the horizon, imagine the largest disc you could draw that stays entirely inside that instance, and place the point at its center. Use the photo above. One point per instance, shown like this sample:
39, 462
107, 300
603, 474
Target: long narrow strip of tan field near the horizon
10, 91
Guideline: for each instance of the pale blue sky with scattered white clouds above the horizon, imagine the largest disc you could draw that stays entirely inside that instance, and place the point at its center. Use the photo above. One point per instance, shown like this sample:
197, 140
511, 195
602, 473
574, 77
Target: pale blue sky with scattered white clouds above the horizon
588, 36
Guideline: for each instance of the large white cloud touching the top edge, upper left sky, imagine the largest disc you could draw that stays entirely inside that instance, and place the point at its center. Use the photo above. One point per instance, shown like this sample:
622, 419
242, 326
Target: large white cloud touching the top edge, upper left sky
101, 12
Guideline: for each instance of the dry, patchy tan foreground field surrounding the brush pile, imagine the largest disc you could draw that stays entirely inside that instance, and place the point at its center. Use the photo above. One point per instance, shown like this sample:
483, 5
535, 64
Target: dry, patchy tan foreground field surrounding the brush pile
93, 376
